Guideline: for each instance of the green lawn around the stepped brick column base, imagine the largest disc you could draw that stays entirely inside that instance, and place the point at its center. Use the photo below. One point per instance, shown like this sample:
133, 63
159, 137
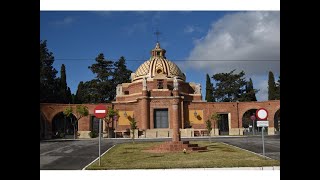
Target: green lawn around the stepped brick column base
132, 156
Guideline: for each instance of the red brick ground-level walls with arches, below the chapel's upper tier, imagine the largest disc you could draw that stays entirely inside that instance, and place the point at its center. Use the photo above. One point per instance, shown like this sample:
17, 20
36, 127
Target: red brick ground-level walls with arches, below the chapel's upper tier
236, 111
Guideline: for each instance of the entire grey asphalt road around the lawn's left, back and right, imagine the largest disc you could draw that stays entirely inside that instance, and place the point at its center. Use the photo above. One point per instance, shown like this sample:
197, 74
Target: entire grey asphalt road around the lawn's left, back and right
76, 154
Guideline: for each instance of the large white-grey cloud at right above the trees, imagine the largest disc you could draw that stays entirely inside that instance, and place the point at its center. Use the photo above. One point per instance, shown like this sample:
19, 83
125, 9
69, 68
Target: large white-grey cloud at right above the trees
240, 36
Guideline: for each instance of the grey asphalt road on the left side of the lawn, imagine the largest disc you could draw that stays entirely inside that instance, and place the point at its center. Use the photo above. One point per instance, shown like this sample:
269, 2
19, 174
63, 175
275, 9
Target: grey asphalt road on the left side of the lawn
69, 155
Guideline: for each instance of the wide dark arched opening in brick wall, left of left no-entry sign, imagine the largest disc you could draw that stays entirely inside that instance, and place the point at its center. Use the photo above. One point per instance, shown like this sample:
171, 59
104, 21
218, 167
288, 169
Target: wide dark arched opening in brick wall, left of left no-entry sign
63, 127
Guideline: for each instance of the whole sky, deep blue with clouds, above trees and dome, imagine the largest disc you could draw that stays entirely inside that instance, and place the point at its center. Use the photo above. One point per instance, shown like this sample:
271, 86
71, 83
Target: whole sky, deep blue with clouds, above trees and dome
199, 42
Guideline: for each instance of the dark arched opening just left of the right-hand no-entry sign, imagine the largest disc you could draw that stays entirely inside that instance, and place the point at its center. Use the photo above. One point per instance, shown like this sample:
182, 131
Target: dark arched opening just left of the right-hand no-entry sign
248, 125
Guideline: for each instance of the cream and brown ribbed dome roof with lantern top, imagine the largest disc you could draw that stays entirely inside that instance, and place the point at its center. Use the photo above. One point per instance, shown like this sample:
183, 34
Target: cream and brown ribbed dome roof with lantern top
157, 65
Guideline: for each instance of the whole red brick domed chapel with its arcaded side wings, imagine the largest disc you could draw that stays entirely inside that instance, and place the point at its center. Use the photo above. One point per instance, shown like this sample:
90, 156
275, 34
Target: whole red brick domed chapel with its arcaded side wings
159, 84
